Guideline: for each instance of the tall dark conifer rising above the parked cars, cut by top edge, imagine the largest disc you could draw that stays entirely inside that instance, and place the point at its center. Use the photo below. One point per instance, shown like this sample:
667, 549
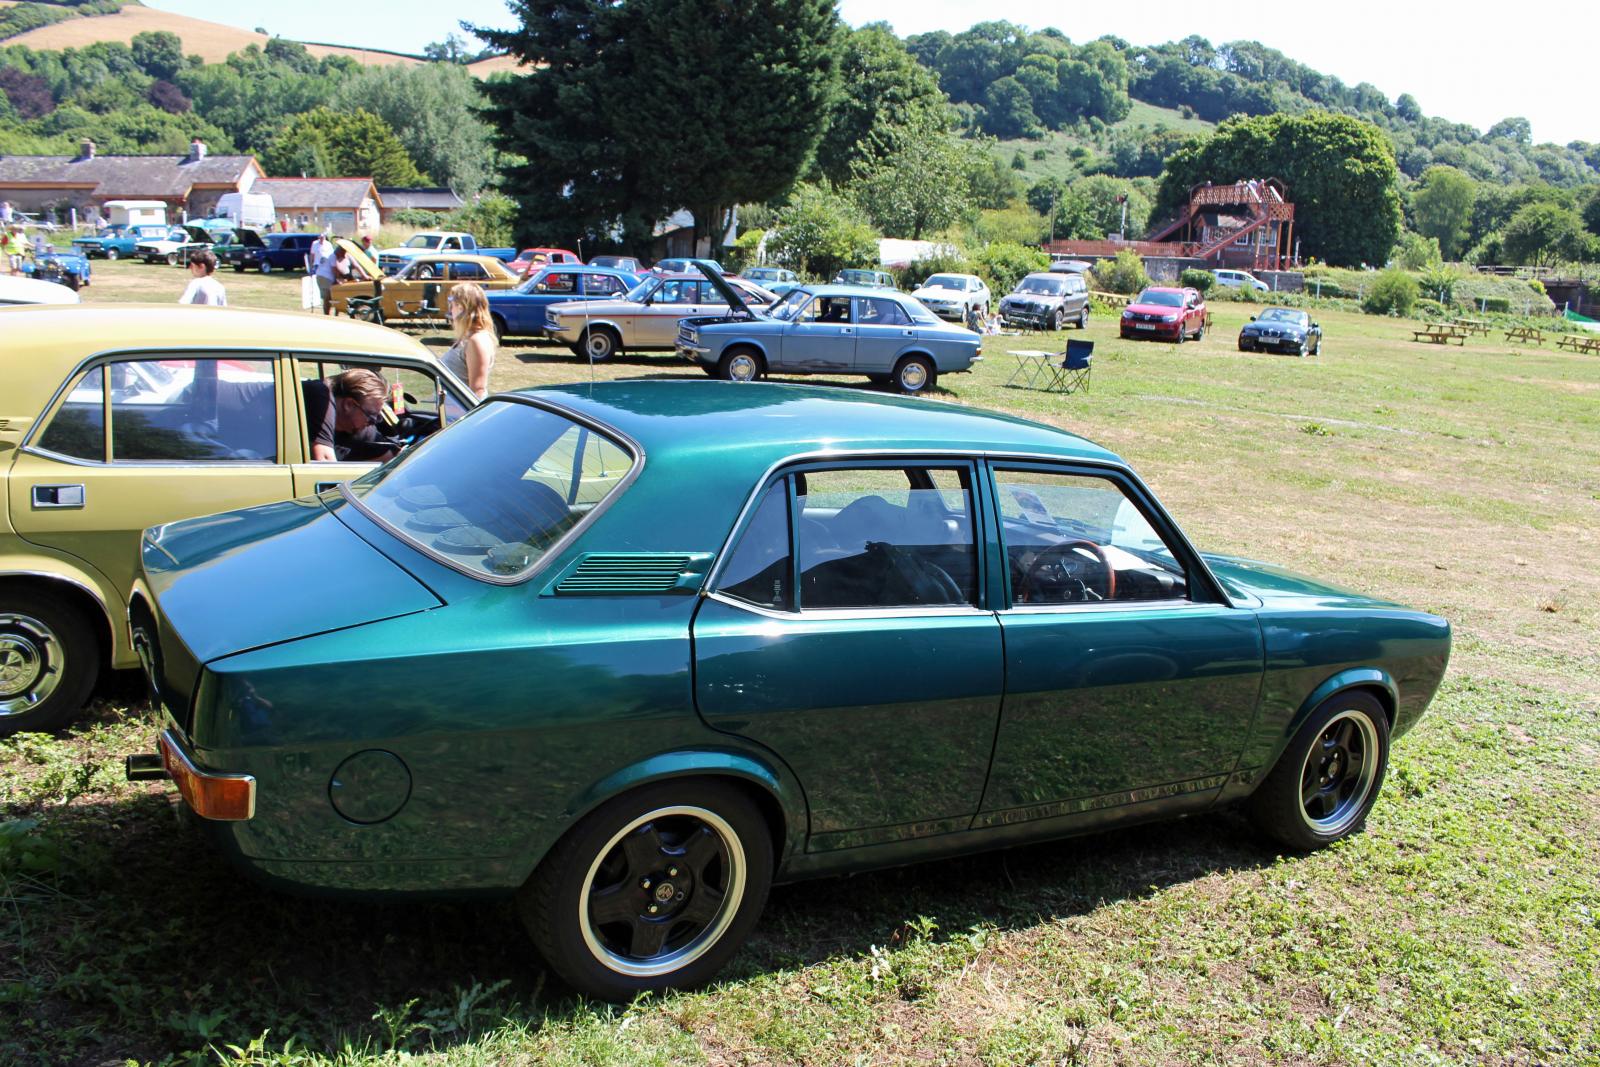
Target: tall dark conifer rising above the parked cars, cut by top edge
740, 97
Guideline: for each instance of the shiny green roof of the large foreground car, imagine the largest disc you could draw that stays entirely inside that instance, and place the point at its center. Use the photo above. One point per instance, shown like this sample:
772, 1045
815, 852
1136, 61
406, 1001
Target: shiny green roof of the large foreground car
751, 426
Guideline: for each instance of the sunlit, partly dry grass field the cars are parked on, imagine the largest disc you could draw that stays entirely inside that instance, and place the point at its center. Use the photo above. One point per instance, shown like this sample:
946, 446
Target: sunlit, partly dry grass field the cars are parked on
1462, 927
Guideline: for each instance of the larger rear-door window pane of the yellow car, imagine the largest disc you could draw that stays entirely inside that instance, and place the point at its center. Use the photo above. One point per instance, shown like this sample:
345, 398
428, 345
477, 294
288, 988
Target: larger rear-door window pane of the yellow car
212, 410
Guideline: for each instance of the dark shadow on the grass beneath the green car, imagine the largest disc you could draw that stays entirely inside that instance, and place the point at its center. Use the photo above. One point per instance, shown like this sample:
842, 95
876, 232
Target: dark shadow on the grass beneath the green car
151, 945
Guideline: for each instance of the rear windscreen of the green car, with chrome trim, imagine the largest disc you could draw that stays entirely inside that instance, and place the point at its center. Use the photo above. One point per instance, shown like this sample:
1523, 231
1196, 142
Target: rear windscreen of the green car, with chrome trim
500, 490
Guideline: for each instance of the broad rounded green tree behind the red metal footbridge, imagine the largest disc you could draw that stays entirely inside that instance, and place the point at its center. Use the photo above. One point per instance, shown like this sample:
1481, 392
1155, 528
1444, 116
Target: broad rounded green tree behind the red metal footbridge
1340, 172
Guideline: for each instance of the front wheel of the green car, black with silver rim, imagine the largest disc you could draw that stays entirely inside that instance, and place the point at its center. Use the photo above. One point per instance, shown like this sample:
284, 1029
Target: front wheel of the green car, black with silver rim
1348, 735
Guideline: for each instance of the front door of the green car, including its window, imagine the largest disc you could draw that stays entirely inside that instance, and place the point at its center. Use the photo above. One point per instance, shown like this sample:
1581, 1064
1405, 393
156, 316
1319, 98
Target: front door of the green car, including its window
1127, 674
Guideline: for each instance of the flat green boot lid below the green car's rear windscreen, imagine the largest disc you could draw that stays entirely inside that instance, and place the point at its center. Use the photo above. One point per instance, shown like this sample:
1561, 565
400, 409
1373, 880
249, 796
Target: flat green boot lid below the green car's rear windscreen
268, 575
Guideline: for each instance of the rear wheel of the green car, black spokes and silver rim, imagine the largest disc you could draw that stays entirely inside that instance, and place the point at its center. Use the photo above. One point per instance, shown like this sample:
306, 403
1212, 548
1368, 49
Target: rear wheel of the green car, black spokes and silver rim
588, 906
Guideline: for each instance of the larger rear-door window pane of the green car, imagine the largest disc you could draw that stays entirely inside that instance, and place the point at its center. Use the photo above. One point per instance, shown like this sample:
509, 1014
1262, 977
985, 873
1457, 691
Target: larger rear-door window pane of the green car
886, 538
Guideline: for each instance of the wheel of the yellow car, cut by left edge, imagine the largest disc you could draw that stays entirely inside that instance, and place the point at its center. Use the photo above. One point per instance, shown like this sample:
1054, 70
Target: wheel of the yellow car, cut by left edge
49, 653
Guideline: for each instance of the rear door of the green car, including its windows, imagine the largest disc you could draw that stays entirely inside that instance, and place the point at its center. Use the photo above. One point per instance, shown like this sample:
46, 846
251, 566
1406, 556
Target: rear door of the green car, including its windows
847, 636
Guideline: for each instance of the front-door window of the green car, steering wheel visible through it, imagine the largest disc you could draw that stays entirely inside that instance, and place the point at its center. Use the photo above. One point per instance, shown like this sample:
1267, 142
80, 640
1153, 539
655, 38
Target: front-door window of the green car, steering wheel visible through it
1076, 538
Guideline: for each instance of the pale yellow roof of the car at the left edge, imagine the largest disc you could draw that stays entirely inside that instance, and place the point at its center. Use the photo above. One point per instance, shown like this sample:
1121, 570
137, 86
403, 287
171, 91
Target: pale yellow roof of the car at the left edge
44, 343
